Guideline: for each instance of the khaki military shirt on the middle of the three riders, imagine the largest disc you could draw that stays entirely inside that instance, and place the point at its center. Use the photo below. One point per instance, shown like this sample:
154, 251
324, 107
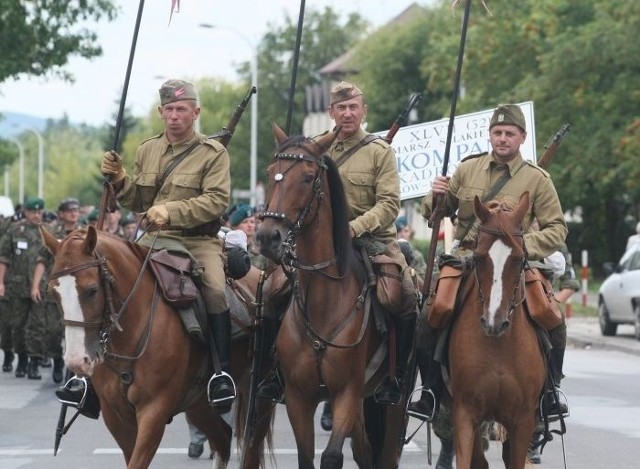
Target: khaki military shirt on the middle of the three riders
372, 186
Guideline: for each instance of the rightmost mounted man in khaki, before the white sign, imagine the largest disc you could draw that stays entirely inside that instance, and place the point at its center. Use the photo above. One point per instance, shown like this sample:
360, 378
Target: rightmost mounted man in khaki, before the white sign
506, 175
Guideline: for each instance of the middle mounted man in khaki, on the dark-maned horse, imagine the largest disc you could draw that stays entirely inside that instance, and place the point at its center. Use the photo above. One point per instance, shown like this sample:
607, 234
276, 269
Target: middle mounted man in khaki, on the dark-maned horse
368, 168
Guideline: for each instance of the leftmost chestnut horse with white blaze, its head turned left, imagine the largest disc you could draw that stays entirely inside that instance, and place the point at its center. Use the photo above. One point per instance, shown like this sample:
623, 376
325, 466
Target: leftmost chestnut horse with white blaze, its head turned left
145, 368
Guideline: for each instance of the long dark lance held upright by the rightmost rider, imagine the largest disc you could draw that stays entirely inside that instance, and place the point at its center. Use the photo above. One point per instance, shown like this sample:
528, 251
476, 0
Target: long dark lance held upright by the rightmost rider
439, 201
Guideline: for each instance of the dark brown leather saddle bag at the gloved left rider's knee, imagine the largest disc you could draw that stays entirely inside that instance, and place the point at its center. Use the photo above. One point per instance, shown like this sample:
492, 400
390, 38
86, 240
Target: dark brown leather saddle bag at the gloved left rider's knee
173, 273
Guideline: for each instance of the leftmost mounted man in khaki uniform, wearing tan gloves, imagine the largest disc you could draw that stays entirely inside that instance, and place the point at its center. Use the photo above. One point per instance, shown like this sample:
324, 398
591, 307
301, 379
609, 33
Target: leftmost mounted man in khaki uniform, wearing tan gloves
186, 204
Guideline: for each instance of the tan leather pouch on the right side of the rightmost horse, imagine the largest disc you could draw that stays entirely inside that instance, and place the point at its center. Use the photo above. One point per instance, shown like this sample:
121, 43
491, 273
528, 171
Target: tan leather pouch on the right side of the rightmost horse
539, 300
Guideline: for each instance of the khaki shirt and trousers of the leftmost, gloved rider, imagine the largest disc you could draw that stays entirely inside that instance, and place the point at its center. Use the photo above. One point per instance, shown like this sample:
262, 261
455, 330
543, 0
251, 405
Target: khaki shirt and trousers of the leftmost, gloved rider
195, 193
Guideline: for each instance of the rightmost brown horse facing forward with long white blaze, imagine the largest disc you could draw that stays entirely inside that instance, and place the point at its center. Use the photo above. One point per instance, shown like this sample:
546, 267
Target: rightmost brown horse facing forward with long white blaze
496, 364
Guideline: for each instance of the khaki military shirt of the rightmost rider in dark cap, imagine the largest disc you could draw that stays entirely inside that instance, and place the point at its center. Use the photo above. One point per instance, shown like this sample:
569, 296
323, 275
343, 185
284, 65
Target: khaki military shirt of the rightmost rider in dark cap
476, 175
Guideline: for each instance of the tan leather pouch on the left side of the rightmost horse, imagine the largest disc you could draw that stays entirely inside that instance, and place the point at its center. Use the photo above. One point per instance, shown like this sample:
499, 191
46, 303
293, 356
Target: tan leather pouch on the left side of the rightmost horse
441, 303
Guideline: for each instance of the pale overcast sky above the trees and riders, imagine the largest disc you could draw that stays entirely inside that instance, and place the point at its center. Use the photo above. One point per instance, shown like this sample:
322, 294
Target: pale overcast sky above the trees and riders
181, 49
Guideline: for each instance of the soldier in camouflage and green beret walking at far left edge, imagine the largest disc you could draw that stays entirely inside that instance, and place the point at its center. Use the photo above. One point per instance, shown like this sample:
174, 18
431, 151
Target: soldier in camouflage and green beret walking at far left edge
19, 250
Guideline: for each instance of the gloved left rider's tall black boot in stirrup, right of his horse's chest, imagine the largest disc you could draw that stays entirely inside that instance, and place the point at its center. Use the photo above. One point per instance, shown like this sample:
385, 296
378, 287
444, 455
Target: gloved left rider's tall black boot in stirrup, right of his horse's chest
221, 390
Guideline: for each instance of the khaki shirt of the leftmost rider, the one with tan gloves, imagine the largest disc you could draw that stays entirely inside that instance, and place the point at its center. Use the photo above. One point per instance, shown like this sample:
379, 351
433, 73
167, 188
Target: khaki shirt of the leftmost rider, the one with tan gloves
196, 191
